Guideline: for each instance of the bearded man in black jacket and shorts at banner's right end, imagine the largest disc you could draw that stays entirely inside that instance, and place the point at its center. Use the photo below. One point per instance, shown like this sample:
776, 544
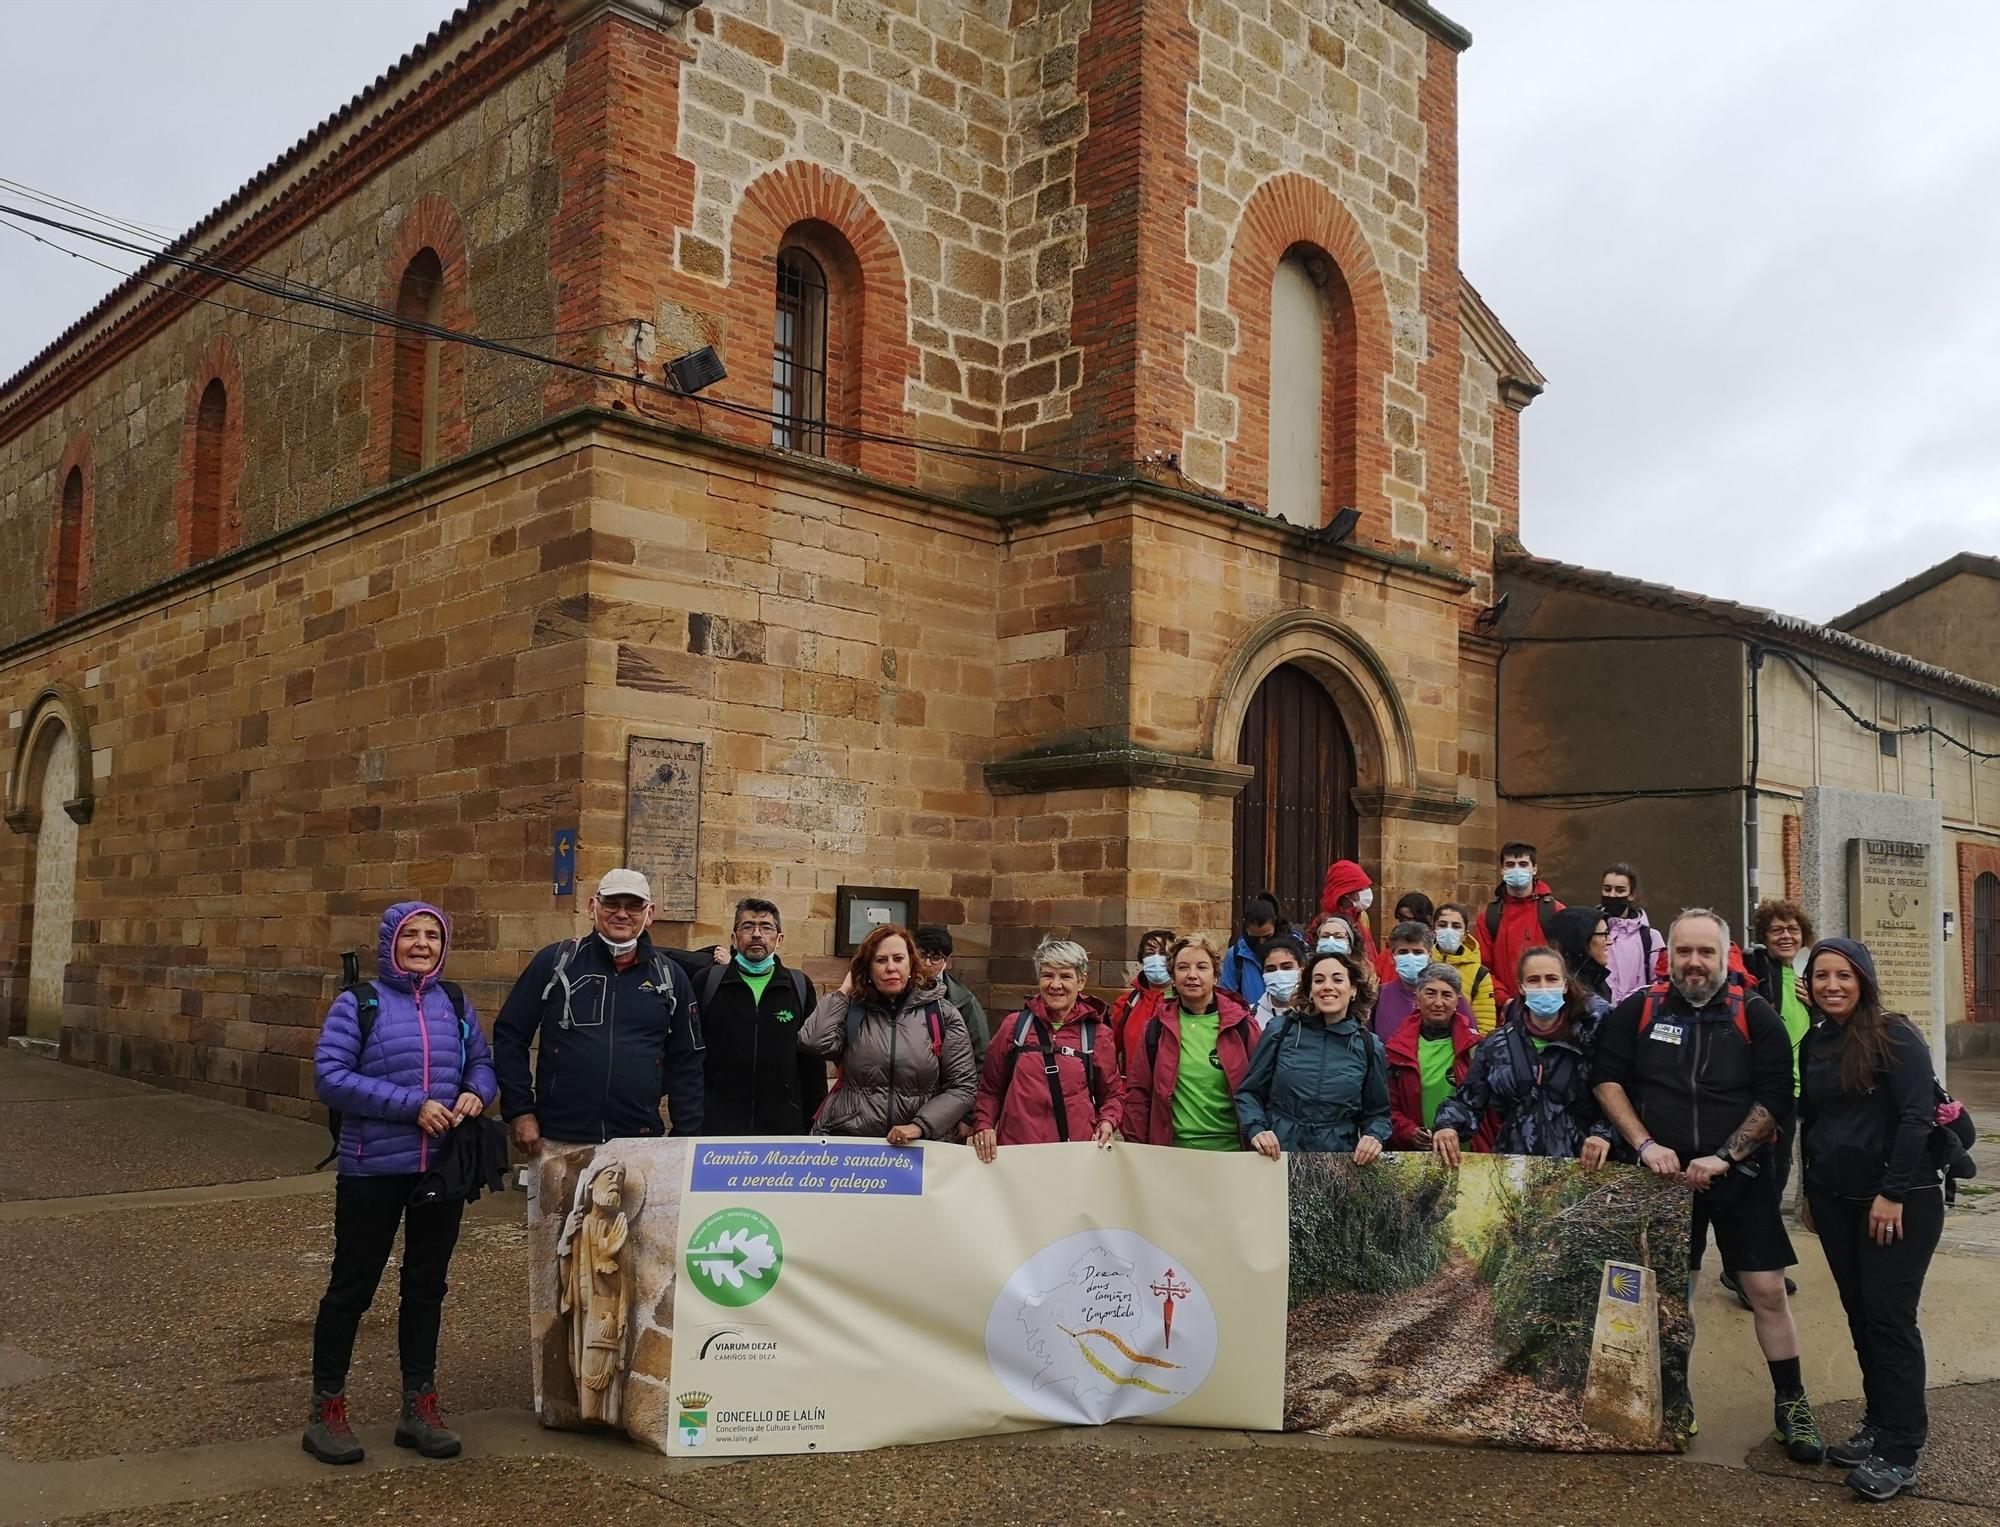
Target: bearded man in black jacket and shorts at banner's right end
1697, 1078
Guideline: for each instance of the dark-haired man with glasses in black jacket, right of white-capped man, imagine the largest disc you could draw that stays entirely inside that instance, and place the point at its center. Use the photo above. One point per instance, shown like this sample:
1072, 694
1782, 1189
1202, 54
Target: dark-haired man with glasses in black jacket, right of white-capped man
759, 1080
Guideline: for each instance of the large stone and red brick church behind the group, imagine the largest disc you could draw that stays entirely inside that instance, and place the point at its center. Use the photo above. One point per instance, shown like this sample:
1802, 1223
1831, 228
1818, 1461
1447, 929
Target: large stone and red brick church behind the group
1003, 567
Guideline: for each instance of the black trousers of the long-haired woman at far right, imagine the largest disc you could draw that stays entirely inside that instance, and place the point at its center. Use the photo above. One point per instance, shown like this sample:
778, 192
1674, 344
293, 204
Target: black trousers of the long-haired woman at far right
1881, 1288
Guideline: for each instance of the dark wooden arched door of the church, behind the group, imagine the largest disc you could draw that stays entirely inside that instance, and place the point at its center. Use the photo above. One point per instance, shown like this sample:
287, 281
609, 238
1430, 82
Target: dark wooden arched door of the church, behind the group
1297, 812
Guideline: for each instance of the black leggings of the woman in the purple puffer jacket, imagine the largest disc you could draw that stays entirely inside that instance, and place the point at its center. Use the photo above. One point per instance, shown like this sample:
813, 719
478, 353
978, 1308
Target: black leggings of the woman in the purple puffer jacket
367, 1212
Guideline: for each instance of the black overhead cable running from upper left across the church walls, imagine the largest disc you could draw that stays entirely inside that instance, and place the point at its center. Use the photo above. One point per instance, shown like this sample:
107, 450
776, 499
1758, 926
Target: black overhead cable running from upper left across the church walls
287, 291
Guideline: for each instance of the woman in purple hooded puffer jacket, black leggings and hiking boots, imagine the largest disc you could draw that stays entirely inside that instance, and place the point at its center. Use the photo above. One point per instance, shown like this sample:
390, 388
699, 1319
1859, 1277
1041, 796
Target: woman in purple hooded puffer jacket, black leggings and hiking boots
417, 1072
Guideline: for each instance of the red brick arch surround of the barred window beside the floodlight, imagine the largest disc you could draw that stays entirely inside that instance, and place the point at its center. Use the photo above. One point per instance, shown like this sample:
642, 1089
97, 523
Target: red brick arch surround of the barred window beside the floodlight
869, 343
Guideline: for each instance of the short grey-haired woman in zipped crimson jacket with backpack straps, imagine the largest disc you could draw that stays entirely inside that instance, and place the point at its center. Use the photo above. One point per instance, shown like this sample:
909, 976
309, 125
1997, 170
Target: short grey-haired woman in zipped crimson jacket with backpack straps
1053, 1068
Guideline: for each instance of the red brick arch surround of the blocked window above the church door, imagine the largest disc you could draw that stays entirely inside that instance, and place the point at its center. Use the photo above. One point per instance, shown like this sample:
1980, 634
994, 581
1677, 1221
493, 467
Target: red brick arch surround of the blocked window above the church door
1283, 215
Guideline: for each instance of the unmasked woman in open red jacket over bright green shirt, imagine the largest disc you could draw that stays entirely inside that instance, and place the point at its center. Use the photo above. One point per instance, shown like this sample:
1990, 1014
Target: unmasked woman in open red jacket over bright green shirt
1187, 1062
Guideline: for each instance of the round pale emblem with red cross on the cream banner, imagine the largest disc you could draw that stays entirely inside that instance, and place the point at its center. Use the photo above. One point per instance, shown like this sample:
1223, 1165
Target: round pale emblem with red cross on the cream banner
1101, 1328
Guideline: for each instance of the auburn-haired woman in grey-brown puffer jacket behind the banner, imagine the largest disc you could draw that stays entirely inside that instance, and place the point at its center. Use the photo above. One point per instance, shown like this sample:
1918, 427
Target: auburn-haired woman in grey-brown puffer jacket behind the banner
905, 1052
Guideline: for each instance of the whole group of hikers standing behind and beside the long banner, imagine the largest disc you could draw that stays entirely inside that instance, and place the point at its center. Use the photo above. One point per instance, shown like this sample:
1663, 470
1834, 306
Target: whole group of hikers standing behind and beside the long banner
1521, 1028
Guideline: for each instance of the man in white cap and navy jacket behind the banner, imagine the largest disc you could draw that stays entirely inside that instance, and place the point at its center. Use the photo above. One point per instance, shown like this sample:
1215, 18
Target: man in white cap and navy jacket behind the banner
617, 1026
